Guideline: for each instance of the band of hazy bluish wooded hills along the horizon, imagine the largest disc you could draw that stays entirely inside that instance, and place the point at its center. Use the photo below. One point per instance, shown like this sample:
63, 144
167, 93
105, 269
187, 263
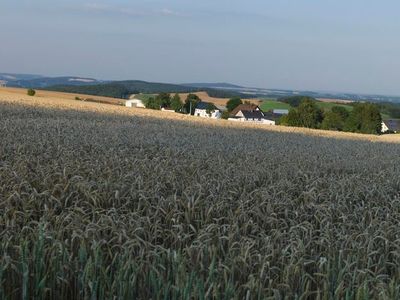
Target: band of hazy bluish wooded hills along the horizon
122, 89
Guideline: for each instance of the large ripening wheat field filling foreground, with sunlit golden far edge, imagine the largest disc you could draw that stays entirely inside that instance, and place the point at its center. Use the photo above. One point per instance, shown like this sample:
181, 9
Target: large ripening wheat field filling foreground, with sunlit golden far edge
104, 202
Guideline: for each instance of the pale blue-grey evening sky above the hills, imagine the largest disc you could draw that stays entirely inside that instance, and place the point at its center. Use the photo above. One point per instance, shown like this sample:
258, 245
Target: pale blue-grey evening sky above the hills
319, 45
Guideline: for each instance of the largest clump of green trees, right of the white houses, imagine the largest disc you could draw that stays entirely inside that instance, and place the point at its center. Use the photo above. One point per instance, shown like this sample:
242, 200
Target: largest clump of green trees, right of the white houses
364, 118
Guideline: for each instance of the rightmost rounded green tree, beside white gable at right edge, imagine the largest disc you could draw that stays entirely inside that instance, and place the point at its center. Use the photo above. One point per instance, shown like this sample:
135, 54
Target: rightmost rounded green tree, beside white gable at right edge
365, 118
